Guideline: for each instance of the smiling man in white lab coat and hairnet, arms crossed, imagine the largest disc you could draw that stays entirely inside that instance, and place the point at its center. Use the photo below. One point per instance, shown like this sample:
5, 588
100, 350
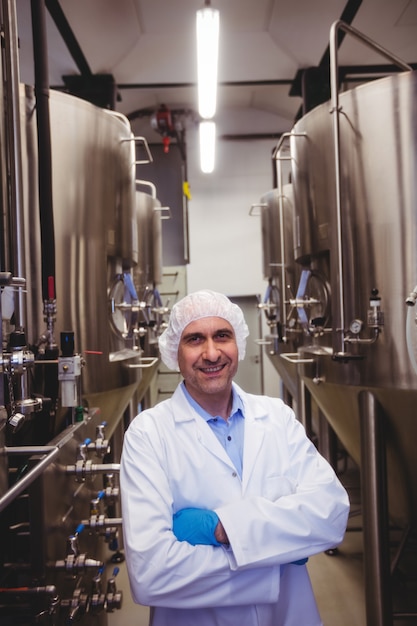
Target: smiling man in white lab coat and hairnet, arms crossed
224, 497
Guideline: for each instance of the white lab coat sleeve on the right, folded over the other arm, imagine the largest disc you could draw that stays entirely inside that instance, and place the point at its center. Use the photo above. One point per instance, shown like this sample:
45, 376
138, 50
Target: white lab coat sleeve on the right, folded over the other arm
308, 519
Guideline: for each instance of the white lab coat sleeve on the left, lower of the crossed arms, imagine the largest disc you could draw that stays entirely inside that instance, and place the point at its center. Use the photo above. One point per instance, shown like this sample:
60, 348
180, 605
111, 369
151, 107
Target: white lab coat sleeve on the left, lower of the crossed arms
162, 570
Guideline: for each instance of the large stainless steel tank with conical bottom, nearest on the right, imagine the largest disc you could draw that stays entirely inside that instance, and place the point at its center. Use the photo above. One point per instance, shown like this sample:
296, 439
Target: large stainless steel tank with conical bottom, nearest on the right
379, 252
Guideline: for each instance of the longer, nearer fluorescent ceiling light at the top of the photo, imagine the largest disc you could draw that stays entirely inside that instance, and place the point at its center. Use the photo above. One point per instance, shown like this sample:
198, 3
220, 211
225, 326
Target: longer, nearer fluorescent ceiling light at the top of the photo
207, 59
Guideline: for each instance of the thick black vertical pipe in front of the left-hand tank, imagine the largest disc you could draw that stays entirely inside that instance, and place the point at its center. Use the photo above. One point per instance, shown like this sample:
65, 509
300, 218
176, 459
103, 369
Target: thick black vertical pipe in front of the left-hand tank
44, 149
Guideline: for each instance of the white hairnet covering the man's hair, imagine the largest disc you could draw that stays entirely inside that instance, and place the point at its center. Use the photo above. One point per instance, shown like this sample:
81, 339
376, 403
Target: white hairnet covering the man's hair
195, 306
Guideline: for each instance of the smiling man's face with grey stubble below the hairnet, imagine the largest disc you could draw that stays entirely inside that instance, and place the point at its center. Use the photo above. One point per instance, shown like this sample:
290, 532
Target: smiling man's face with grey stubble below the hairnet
208, 357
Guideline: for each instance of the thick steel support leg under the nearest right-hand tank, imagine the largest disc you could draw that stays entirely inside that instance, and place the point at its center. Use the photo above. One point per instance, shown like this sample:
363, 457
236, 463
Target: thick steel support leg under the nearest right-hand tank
378, 594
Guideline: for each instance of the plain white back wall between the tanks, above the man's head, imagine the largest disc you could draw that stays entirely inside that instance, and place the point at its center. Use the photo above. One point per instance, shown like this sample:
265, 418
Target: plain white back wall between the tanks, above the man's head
225, 242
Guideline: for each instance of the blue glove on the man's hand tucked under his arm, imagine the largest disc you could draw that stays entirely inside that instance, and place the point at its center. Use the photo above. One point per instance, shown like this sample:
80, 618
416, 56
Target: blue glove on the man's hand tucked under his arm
196, 526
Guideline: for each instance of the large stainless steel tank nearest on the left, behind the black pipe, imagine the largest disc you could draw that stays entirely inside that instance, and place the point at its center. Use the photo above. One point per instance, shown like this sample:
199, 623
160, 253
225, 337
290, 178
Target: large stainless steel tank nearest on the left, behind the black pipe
93, 175
